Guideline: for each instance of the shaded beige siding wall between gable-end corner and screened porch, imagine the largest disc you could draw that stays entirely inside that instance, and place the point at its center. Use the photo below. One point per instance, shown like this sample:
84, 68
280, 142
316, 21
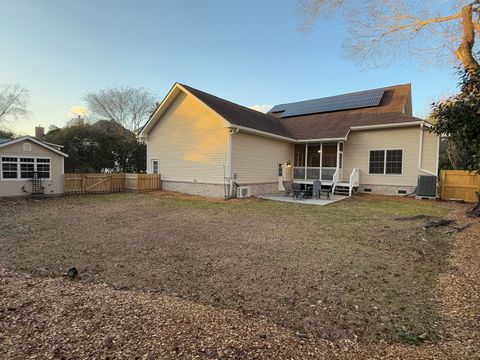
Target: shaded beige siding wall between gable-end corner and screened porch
255, 158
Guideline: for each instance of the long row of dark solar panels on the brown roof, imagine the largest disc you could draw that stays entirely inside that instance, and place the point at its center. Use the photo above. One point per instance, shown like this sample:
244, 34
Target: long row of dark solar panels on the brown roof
350, 101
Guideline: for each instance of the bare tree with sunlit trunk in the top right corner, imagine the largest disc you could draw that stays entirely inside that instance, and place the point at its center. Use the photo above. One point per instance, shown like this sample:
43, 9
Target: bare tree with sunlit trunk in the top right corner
383, 30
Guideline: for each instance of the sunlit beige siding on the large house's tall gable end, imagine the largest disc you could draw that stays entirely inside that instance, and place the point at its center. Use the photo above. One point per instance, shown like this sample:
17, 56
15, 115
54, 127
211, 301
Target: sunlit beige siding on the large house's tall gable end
190, 142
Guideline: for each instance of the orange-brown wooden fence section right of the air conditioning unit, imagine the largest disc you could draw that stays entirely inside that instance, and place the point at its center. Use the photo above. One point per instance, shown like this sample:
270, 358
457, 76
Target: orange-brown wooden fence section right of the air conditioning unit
459, 185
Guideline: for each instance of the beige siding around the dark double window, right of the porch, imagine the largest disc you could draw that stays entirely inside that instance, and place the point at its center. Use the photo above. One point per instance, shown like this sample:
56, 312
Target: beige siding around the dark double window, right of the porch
359, 143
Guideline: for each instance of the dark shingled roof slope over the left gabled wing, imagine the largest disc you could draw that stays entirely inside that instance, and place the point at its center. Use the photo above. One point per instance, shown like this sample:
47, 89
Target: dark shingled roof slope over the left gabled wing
240, 115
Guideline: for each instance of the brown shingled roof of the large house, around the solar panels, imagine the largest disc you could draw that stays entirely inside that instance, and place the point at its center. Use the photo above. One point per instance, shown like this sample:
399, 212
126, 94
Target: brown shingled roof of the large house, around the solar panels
393, 109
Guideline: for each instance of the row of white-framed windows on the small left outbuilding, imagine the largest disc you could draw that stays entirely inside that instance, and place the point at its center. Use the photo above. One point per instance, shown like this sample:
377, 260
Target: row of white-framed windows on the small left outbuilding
18, 168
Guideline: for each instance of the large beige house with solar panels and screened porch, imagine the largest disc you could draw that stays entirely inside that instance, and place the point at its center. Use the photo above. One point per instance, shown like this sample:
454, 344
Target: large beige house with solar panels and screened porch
366, 141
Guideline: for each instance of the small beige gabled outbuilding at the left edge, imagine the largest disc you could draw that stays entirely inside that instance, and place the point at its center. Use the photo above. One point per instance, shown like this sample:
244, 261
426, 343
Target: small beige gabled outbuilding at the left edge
30, 166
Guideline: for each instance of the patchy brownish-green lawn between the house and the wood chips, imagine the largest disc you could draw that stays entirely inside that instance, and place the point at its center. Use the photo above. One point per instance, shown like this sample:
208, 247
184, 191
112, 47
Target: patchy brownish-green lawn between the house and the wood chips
341, 271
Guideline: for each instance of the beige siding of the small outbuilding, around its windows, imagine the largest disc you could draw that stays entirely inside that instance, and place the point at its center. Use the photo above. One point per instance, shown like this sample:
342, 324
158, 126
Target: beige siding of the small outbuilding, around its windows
13, 187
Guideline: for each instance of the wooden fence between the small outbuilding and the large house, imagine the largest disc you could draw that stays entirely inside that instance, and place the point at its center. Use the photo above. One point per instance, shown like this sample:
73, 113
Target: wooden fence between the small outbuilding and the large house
109, 183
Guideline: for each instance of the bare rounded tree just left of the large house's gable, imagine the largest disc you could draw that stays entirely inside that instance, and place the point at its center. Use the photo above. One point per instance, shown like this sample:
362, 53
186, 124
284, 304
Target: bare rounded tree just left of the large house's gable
128, 106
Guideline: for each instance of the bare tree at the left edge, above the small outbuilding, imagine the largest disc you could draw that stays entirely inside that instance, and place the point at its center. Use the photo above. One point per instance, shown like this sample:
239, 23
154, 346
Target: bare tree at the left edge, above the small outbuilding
13, 101
